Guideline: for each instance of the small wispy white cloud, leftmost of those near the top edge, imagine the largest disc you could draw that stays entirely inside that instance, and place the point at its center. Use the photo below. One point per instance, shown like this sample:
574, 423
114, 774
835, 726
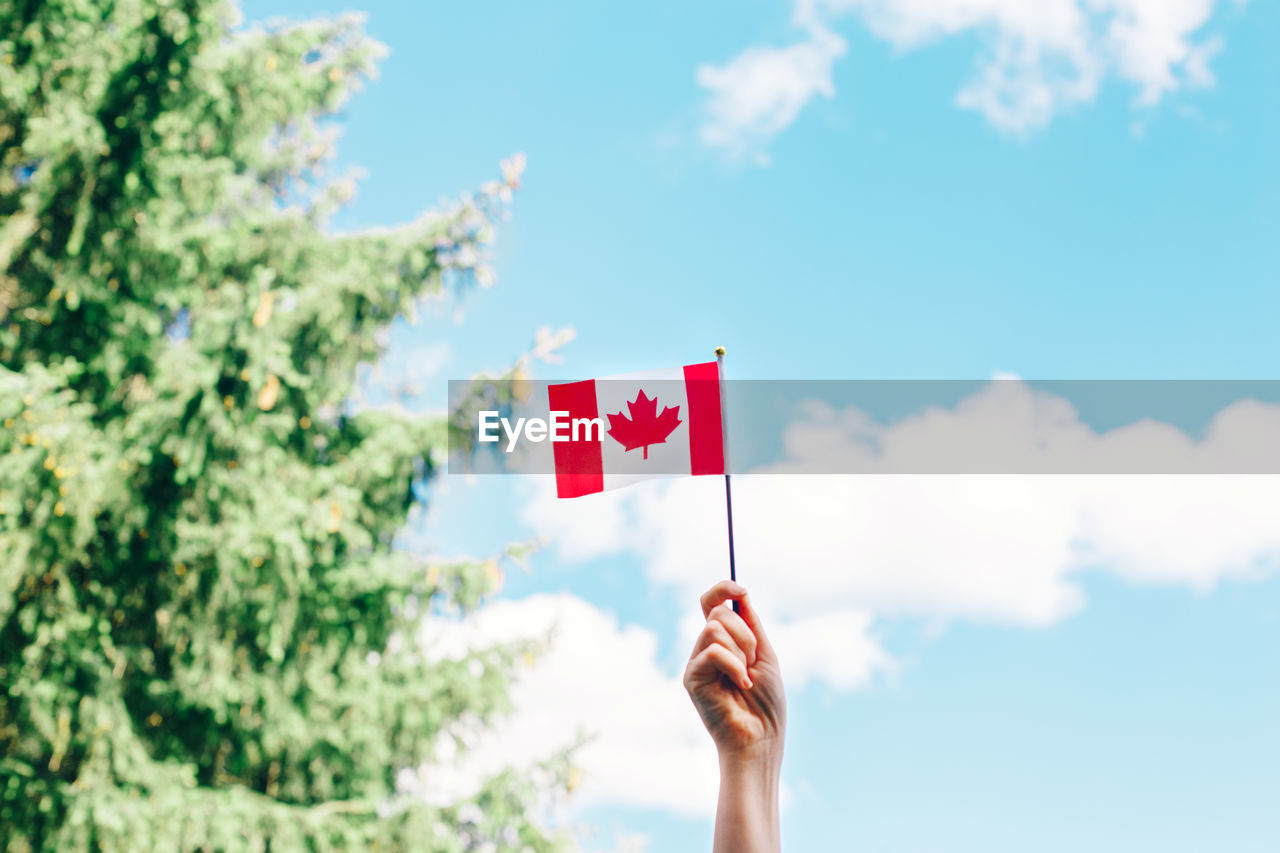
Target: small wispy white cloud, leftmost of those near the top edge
760, 93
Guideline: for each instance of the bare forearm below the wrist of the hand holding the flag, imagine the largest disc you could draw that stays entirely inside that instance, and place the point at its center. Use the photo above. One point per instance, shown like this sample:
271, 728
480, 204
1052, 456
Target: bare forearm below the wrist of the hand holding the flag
747, 818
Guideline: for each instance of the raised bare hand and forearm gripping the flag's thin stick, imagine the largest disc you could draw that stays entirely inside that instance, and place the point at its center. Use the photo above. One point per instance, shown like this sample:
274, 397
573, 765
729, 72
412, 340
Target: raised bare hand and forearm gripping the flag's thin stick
737, 686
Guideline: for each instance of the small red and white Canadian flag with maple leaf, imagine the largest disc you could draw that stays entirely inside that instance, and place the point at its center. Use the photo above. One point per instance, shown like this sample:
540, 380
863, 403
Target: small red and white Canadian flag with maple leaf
660, 423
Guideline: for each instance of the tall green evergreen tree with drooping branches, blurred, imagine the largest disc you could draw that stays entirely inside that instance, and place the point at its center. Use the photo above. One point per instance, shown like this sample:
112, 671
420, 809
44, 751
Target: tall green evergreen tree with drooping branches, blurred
200, 600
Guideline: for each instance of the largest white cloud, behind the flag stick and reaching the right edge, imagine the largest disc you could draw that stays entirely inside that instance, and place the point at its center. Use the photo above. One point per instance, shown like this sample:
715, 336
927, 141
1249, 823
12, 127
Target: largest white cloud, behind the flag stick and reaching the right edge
820, 550
